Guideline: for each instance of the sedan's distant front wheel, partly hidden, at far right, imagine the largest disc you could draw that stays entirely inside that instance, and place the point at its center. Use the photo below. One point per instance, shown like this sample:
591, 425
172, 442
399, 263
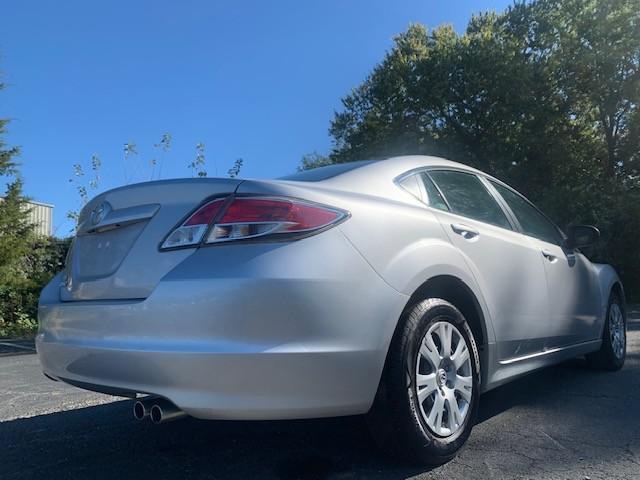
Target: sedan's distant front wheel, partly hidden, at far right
613, 351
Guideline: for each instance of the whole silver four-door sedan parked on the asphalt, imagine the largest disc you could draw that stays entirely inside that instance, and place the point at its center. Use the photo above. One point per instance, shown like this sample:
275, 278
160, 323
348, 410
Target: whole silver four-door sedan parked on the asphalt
401, 288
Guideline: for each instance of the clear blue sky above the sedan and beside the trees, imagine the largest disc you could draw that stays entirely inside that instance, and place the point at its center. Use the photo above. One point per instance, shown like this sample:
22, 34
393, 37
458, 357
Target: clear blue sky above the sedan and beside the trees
257, 80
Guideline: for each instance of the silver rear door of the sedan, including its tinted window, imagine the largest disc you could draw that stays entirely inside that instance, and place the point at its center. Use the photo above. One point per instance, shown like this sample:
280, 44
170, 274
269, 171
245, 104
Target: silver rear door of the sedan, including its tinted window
505, 265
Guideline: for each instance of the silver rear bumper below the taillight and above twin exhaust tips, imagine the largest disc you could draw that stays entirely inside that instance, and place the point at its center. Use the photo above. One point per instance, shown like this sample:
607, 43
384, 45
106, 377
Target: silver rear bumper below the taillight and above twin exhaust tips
279, 333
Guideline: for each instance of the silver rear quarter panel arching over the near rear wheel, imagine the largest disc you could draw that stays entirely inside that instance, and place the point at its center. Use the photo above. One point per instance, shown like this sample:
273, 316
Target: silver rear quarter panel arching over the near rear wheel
396, 234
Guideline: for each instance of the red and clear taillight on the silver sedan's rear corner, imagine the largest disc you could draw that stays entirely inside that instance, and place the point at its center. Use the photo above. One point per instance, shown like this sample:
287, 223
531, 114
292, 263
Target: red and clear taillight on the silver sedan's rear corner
252, 217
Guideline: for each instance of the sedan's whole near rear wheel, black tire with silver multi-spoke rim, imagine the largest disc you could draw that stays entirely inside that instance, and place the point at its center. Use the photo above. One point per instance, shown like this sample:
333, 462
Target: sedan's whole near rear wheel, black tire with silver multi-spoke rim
427, 400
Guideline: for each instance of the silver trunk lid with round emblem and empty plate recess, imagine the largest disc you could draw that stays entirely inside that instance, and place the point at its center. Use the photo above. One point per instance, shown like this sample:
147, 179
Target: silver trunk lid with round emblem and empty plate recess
115, 254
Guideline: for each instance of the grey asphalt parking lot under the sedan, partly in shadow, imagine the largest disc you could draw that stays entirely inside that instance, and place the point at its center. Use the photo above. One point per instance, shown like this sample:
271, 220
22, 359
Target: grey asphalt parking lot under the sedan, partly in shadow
564, 422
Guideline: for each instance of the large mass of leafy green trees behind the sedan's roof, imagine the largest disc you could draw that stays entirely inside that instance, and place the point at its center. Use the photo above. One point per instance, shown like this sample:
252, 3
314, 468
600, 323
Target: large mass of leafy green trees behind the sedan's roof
545, 95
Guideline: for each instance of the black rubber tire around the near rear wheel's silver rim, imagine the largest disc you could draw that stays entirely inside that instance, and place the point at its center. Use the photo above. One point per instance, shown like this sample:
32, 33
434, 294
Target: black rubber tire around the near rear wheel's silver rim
395, 420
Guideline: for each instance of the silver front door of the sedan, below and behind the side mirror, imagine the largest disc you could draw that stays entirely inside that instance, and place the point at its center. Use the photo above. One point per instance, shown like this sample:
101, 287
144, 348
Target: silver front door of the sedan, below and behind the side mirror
574, 296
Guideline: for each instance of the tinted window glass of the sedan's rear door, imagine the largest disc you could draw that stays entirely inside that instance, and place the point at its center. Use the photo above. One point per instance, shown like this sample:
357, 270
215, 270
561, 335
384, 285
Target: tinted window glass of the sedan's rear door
467, 196
